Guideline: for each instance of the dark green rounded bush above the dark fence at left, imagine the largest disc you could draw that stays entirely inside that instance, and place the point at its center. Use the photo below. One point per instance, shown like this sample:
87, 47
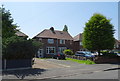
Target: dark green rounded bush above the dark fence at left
18, 48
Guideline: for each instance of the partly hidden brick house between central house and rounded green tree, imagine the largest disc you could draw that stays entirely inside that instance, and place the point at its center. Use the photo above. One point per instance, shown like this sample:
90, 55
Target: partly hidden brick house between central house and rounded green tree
78, 43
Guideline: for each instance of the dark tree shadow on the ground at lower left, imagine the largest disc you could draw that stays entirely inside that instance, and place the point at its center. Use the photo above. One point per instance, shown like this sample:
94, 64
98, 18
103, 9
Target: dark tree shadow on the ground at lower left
21, 74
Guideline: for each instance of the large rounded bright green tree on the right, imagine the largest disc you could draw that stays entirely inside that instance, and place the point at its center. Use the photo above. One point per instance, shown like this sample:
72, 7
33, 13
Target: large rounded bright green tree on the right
98, 34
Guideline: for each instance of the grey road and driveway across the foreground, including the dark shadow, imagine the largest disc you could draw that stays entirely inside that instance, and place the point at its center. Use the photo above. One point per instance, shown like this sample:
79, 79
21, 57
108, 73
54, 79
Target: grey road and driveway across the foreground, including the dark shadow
64, 69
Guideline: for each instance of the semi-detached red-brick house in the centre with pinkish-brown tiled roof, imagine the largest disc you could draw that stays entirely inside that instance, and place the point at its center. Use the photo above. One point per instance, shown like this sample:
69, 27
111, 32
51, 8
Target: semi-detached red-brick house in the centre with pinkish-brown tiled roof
54, 42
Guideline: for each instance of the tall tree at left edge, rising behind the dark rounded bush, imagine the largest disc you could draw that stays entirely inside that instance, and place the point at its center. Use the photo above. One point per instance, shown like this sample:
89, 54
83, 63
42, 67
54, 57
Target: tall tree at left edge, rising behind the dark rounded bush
8, 28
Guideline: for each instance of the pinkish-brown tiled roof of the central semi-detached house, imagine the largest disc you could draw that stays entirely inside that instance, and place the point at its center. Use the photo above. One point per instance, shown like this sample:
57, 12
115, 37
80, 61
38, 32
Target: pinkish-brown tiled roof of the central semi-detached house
56, 34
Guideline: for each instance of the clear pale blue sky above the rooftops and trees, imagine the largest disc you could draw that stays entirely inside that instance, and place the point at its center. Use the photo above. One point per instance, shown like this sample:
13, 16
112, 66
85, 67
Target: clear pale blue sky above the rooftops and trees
33, 17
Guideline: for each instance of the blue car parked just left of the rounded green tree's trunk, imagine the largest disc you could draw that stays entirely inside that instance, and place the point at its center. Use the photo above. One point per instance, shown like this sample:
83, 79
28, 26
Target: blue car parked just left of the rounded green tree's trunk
84, 54
